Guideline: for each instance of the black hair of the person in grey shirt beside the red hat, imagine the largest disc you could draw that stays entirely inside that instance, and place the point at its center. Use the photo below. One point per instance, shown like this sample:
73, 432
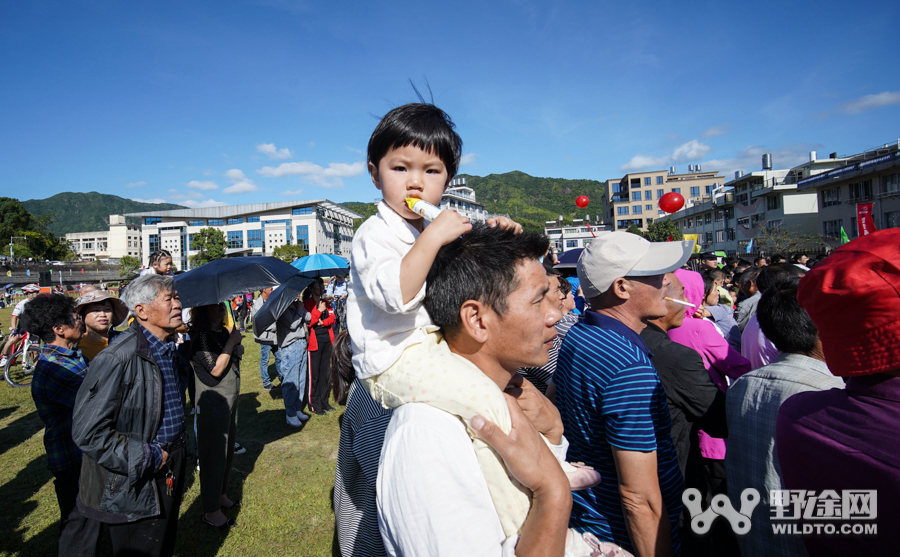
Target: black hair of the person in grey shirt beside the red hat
783, 321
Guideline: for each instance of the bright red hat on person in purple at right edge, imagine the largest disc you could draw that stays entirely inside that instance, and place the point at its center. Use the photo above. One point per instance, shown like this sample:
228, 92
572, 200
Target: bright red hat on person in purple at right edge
853, 297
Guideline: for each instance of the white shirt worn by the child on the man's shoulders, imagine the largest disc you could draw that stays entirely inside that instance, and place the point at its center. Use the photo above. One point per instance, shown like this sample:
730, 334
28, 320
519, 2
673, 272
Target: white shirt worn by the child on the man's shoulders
381, 326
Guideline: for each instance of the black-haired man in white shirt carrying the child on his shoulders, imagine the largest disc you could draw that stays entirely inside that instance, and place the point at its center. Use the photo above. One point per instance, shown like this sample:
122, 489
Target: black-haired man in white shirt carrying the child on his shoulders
432, 496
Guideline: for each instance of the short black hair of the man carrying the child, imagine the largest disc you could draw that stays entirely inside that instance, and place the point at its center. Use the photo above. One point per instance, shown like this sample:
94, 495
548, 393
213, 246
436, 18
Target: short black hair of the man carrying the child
481, 265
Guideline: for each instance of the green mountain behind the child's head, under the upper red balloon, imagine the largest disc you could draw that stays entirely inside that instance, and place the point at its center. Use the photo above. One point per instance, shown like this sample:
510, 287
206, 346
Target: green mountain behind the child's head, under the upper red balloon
528, 200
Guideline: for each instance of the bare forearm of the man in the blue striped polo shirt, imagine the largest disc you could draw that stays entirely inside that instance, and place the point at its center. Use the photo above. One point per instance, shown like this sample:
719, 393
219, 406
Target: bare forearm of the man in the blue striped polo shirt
642, 504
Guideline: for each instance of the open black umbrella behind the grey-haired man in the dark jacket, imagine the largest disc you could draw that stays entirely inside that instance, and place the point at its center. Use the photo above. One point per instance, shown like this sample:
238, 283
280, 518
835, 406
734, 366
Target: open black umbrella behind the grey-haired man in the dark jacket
224, 279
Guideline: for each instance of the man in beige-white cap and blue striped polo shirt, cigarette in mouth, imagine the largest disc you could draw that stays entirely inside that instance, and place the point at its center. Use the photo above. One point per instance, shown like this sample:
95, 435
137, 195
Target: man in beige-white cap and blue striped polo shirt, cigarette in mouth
612, 403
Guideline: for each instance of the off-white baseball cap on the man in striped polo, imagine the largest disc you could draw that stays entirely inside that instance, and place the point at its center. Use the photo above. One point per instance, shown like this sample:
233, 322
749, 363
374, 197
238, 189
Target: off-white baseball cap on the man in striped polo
623, 254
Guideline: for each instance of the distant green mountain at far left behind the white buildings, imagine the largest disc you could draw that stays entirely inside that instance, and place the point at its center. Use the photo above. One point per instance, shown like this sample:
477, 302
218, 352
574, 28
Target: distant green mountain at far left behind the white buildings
88, 212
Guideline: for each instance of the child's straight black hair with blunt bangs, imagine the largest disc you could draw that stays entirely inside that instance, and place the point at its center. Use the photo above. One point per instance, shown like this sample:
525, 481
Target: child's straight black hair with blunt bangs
421, 125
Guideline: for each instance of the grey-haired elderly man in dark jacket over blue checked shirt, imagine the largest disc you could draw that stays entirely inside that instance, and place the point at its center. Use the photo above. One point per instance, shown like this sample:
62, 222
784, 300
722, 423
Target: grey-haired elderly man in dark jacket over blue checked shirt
128, 421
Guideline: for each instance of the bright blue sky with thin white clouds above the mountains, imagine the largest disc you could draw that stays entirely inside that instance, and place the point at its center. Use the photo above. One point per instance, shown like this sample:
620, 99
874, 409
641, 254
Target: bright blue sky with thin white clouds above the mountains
232, 102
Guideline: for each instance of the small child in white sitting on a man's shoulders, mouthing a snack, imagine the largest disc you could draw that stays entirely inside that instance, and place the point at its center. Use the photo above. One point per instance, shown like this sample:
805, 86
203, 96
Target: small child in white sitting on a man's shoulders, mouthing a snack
415, 152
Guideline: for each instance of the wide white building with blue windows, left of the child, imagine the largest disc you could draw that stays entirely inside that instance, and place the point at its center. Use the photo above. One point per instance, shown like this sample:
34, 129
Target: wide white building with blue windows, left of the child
319, 226
